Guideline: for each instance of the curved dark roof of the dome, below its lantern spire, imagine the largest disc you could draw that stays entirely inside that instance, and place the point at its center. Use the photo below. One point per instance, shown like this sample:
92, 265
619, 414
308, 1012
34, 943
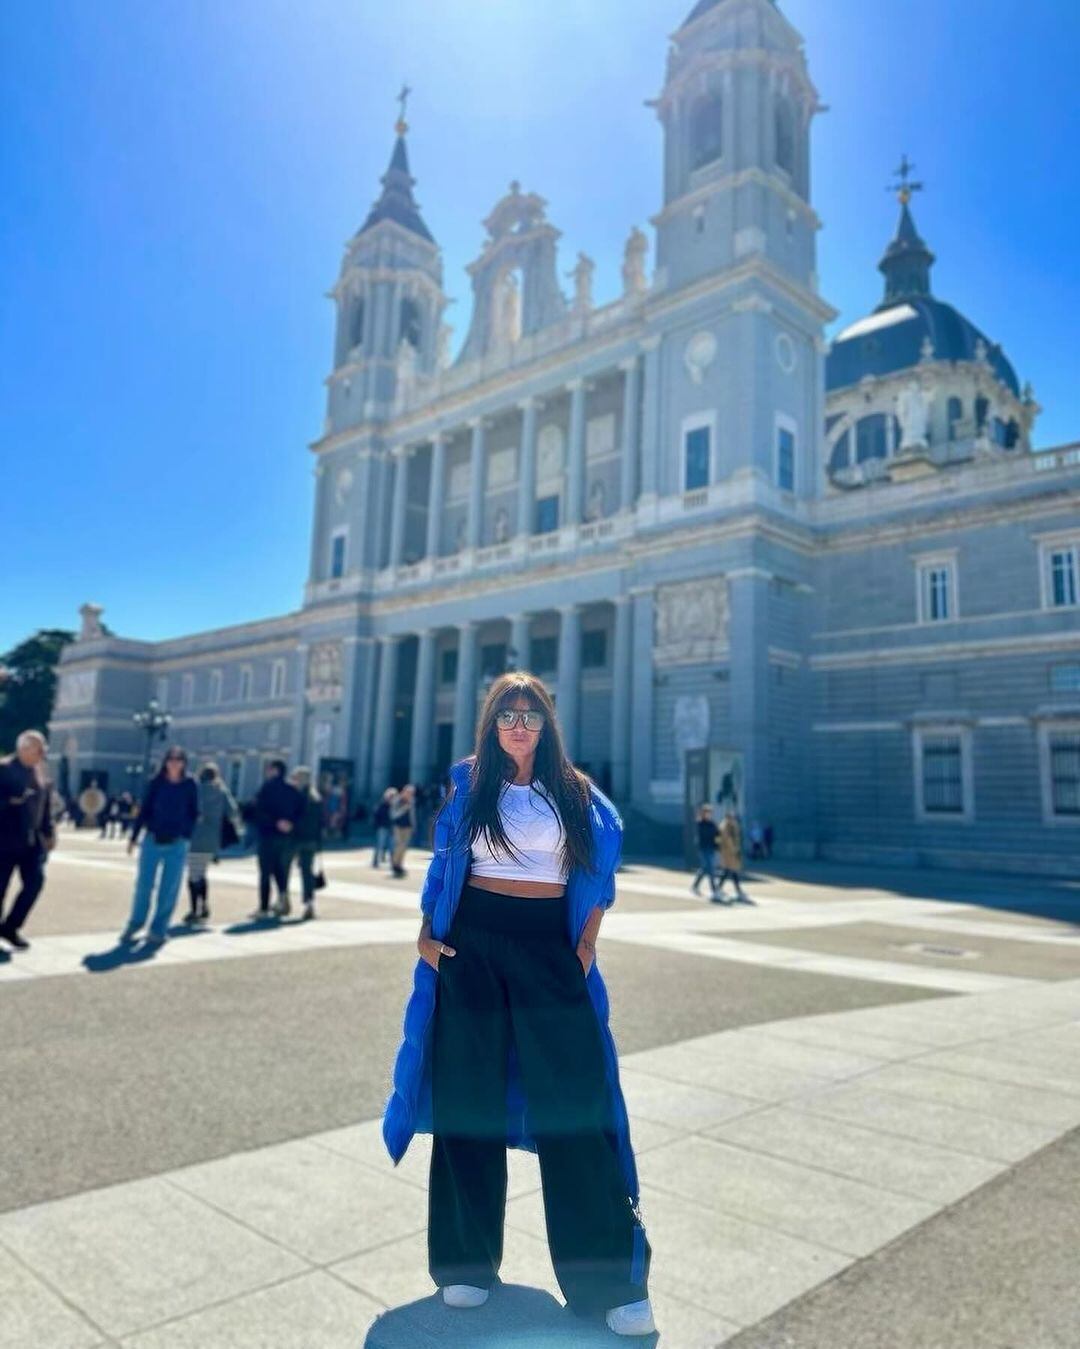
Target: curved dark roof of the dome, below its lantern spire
892, 339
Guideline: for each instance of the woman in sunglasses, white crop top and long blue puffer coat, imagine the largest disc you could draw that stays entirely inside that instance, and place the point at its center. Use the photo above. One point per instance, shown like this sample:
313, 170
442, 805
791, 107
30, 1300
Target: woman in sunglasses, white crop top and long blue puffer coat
525, 857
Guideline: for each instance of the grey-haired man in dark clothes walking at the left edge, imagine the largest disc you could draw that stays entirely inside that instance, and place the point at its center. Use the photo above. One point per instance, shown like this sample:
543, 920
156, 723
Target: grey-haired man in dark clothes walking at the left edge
26, 830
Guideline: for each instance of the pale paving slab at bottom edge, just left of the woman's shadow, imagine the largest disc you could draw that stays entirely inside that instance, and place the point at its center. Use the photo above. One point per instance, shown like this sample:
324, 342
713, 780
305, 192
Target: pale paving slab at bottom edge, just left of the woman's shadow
315, 1312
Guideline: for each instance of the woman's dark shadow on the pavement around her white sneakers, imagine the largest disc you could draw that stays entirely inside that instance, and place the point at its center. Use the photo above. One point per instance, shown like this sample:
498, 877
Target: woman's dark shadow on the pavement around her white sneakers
525, 1319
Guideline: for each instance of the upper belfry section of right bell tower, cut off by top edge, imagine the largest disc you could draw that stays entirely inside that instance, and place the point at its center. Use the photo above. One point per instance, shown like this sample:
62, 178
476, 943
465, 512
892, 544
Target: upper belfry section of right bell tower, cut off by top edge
737, 109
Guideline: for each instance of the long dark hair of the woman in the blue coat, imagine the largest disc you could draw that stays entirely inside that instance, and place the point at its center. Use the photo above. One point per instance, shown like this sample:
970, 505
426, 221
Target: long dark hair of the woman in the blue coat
493, 768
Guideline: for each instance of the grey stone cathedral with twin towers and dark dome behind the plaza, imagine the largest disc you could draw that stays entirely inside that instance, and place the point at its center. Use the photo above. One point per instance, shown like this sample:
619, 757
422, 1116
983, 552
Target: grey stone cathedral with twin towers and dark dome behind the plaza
829, 583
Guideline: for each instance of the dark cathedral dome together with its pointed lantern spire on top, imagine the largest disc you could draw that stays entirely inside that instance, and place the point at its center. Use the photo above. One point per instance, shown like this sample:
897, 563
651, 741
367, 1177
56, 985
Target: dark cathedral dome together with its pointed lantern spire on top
896, 335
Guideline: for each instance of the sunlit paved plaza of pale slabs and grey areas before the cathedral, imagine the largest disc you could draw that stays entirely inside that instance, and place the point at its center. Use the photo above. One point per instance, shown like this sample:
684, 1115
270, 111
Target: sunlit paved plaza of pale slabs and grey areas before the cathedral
854, 1104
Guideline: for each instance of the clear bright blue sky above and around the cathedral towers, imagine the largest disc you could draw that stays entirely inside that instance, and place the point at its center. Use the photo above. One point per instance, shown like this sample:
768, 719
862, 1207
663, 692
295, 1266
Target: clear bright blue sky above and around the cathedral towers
179, 179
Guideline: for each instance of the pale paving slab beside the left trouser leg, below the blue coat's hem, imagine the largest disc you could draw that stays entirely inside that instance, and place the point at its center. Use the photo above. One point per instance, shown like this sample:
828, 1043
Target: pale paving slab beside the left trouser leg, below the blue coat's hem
312, 1201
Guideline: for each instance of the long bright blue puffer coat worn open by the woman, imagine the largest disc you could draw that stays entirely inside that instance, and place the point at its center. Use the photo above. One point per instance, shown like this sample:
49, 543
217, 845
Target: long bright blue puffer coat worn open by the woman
409, 1108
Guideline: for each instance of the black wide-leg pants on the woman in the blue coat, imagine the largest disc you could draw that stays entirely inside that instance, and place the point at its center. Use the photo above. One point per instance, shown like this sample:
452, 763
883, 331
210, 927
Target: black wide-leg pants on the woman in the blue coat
517, 981
